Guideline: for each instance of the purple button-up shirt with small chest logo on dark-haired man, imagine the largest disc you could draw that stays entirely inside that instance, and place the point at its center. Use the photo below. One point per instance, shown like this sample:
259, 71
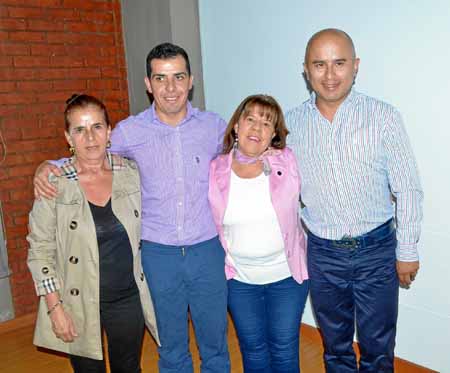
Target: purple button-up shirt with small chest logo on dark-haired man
174, 168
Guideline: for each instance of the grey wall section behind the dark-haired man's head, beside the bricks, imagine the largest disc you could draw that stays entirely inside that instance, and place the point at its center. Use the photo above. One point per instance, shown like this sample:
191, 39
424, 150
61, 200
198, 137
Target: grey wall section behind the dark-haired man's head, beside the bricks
147, 23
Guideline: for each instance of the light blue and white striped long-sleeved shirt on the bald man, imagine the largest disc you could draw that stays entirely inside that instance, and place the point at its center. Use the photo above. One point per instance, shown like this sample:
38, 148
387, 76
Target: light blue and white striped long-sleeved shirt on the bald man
352, 167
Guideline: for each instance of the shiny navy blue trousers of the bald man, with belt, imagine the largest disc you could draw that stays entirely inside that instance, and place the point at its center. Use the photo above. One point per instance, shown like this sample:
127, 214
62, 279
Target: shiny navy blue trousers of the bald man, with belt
356, 281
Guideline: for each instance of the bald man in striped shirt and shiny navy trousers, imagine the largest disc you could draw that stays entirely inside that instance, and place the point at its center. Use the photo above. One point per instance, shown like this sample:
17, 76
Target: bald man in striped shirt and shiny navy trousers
355, 161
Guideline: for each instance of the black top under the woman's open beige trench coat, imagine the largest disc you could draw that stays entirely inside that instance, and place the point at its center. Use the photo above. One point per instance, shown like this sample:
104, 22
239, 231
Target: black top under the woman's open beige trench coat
115, 254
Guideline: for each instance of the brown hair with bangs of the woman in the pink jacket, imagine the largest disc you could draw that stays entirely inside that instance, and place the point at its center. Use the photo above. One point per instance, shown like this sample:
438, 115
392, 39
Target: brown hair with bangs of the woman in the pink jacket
271, 110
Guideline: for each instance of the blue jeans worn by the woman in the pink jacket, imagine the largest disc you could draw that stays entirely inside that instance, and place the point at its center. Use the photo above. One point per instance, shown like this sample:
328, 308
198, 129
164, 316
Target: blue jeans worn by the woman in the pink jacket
267, 320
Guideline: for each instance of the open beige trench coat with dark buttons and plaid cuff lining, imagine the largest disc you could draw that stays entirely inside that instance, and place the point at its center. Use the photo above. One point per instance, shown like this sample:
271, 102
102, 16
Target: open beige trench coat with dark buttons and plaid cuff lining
63, 246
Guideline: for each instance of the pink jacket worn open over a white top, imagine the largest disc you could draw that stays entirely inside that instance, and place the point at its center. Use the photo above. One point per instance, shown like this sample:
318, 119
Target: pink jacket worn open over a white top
285, 190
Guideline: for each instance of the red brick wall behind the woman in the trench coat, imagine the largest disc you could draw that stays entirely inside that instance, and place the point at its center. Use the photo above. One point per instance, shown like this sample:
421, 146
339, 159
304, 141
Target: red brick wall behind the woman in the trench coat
49, 49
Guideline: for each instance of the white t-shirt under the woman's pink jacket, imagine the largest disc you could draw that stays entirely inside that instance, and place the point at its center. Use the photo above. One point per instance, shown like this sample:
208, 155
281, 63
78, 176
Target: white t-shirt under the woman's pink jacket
253, 235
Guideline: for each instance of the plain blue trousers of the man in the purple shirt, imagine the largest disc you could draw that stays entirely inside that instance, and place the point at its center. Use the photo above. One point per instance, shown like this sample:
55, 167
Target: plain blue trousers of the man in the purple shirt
182, 277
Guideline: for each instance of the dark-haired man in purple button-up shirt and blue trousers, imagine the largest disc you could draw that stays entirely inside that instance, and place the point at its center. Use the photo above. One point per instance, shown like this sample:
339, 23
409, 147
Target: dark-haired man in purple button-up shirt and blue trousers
182, 258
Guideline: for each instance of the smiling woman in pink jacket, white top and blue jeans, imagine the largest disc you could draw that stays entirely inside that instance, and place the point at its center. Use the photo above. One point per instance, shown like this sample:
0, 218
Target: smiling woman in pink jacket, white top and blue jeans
254, 192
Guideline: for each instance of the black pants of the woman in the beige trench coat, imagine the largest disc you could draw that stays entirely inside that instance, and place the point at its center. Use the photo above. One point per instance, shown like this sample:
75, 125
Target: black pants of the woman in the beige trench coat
123, 323
